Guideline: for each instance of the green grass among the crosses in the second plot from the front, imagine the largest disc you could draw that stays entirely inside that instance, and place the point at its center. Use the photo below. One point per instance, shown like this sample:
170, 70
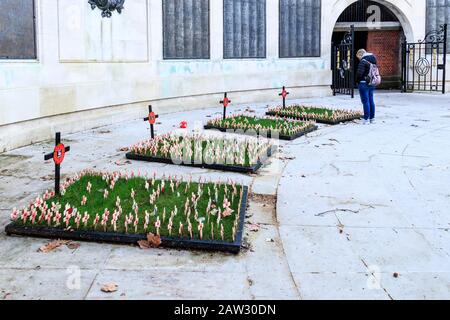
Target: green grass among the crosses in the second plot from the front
206, 145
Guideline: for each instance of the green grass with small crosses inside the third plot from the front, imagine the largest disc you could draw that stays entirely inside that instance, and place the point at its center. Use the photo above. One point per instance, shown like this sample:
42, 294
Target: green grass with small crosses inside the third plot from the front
281, 125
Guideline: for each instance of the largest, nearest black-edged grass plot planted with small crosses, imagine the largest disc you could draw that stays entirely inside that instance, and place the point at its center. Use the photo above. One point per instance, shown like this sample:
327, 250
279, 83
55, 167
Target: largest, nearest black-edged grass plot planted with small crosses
125, 208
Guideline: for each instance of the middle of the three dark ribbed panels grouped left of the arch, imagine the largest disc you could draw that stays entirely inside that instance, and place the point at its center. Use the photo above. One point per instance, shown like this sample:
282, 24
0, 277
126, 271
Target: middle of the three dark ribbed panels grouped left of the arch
244, 29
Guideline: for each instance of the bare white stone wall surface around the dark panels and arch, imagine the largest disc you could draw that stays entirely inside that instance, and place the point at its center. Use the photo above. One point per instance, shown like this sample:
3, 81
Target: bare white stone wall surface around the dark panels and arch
86, 63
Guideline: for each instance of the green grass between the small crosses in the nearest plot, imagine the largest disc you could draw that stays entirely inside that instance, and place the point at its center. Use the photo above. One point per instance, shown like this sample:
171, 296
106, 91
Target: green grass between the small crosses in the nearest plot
97, 204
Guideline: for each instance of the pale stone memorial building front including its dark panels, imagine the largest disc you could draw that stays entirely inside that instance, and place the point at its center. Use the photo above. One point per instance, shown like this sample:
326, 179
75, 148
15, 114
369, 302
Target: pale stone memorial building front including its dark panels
65, 67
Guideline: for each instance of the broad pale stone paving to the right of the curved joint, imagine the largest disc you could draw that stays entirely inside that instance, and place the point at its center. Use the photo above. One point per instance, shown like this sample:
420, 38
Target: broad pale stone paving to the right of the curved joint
384, 187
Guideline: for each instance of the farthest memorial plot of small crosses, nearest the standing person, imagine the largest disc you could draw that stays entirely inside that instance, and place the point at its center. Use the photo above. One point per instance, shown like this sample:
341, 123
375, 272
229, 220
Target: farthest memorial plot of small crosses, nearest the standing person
318, 114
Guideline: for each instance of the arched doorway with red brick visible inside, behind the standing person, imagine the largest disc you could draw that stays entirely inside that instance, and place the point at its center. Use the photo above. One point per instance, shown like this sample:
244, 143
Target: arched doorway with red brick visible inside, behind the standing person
379, 31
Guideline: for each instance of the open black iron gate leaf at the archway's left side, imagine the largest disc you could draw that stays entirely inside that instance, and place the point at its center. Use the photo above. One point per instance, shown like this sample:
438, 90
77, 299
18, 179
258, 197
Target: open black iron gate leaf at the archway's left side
343, 65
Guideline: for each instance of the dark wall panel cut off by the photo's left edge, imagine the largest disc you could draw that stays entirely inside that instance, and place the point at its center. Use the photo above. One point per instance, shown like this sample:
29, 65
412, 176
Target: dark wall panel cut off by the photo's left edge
17, 29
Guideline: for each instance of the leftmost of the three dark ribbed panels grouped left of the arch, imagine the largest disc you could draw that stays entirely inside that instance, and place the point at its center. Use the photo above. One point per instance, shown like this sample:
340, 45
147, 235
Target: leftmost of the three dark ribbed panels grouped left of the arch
186, 29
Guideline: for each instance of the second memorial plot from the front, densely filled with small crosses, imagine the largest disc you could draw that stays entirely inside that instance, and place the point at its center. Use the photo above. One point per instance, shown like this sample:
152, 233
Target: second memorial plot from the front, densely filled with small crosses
219, 152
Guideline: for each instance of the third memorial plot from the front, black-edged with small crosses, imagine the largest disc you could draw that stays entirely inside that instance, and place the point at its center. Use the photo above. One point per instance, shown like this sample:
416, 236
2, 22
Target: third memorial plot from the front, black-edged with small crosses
284, 129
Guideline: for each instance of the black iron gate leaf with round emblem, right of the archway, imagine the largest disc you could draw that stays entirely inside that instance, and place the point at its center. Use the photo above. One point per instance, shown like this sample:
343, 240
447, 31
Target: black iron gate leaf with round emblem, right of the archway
424, 62
